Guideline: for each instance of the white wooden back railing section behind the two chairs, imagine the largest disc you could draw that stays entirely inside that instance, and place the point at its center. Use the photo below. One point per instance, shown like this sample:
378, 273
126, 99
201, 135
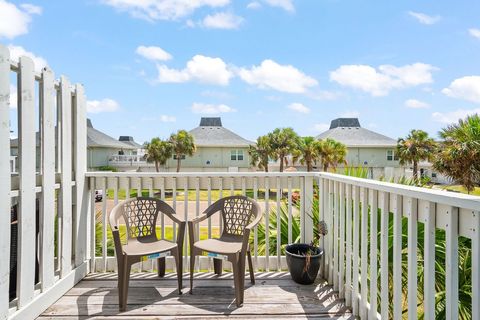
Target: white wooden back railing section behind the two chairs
171, 186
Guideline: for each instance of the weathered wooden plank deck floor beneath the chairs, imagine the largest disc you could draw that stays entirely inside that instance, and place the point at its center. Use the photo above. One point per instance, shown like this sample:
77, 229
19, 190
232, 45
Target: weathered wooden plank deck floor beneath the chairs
274, 296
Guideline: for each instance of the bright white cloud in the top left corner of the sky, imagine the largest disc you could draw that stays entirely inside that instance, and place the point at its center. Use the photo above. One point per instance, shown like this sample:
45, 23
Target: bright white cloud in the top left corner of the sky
14, 21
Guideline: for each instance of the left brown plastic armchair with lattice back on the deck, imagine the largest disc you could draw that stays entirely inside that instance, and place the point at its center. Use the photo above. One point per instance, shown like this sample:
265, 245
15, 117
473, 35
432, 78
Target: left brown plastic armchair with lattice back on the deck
140, 217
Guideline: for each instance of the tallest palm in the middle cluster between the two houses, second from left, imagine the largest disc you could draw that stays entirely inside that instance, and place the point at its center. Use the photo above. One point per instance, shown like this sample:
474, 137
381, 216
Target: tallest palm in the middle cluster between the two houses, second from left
283, 142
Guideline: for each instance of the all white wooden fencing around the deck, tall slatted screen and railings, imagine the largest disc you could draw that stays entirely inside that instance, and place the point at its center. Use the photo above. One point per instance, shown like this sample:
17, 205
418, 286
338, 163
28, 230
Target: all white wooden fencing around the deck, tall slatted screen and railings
68, 215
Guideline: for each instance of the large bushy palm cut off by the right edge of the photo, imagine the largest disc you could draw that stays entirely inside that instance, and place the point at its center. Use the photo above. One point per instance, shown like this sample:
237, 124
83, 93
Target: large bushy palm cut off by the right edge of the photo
459, 155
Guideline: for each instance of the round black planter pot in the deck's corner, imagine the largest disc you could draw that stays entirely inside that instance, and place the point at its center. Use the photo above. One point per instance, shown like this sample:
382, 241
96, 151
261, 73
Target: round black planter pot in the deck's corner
297, 262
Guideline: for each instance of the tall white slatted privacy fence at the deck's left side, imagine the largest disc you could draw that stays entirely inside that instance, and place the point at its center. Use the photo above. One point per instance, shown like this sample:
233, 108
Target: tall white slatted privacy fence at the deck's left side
57, 181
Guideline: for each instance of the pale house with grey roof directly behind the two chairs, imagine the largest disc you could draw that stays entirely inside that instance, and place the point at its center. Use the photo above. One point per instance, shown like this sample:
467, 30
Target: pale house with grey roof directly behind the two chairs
218, 149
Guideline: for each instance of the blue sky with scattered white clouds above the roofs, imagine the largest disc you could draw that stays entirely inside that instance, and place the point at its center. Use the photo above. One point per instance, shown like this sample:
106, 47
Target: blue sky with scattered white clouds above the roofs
151, 67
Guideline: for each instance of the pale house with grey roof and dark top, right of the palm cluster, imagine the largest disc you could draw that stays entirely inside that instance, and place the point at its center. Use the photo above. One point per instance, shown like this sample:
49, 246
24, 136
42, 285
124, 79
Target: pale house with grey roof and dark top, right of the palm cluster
366, 148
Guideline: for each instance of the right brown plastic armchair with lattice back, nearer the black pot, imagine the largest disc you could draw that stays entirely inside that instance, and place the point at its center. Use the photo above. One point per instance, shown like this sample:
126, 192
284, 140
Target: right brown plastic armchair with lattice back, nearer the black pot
240, 215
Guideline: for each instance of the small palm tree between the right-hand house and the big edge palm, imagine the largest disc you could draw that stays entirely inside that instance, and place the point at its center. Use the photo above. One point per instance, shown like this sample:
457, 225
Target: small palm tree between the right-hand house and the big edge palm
415, 147
